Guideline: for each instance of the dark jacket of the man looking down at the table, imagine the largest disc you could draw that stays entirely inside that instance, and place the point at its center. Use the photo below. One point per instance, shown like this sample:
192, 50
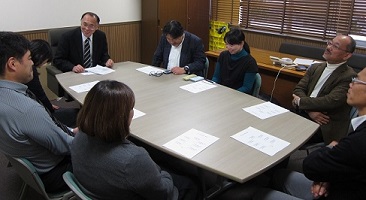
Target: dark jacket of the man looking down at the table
192, 54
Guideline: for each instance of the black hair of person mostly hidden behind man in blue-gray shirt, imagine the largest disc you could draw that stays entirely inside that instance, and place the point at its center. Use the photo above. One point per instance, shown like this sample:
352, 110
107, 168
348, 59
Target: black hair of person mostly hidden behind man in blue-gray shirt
40, 51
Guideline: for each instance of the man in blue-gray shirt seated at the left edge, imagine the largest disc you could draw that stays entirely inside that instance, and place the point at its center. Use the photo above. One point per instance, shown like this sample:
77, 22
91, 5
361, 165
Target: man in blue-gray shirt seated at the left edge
27, 130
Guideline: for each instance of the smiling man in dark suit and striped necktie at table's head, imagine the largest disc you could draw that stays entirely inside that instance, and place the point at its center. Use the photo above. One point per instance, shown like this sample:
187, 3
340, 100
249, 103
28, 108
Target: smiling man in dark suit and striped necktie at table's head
71, 55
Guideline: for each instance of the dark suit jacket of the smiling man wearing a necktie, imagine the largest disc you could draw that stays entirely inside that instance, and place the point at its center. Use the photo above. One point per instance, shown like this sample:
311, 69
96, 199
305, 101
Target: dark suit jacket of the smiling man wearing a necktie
70, 50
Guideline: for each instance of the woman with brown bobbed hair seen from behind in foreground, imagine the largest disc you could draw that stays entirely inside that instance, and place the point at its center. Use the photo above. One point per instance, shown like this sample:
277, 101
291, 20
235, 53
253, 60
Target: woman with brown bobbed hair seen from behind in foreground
105, 162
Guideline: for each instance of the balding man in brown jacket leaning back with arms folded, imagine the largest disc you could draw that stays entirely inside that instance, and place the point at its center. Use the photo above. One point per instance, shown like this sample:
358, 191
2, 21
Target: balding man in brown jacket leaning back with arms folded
321, 93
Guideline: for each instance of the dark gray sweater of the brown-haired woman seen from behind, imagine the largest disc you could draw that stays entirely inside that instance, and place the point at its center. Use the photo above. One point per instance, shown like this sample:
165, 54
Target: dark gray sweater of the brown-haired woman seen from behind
119, 170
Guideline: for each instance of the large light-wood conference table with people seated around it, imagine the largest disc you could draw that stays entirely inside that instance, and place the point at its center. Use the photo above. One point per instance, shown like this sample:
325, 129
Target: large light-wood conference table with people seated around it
171, 111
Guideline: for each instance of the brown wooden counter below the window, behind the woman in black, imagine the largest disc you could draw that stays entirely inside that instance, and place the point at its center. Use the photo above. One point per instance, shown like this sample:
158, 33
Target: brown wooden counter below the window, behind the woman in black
280, 88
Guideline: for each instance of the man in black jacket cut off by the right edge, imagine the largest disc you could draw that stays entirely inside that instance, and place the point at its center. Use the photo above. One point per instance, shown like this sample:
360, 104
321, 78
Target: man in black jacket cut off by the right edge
336, 171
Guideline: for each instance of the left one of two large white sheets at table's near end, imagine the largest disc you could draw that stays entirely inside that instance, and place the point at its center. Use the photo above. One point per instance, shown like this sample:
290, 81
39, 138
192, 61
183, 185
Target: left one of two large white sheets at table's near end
191, 143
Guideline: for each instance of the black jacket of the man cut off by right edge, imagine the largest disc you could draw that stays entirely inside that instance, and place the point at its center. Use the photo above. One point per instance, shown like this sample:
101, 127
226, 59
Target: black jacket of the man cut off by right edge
343, 166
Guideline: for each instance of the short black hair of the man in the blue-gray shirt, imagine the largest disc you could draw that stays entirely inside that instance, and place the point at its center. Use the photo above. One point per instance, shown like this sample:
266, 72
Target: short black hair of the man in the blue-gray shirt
11, 45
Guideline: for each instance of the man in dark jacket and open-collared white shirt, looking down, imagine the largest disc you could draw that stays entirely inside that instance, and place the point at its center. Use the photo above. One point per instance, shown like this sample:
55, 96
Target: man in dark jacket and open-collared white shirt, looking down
180, 51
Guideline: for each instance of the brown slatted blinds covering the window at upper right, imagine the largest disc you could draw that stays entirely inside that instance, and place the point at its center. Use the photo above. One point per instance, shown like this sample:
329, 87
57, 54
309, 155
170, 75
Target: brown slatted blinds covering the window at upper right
313, 19
